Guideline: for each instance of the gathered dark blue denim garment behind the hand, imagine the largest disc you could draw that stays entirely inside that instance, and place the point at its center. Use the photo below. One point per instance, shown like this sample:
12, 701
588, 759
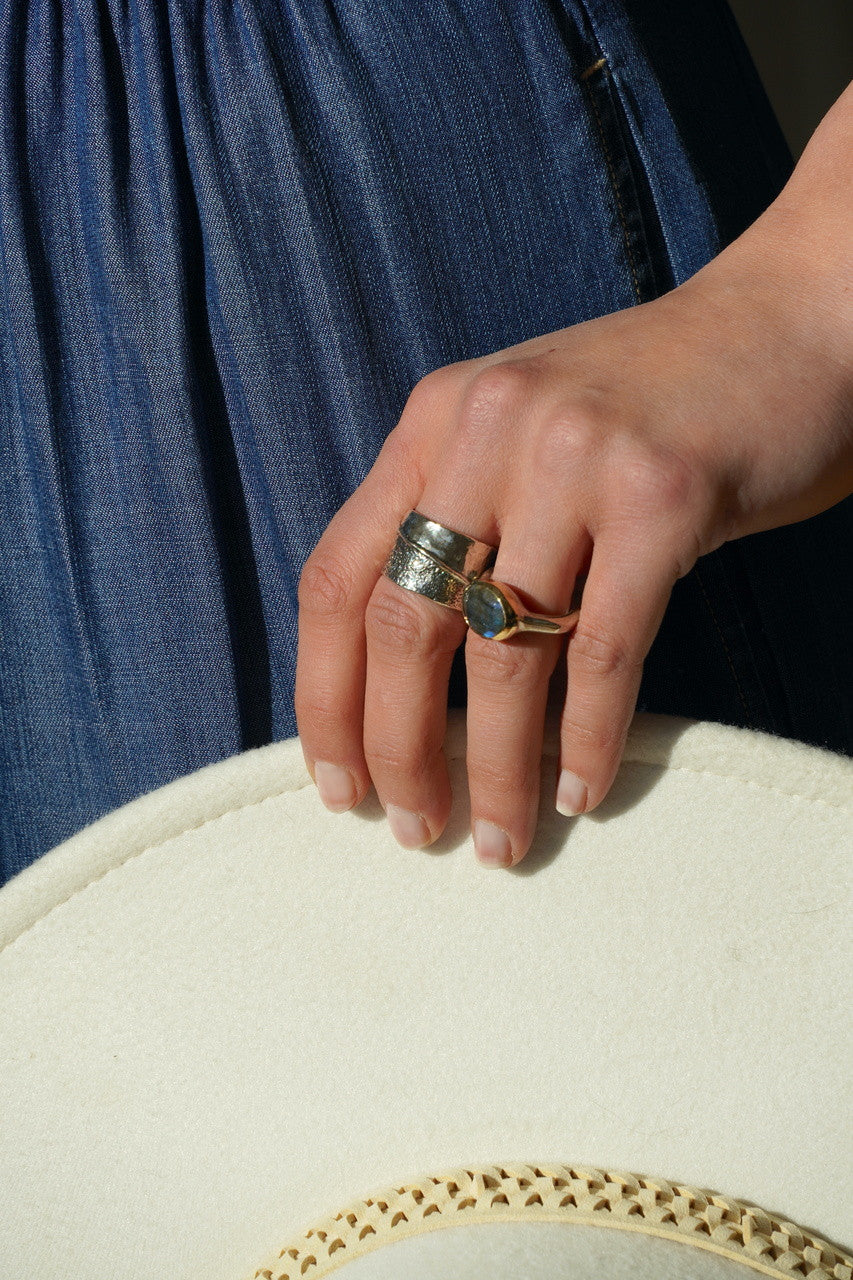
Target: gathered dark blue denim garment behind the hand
234, 235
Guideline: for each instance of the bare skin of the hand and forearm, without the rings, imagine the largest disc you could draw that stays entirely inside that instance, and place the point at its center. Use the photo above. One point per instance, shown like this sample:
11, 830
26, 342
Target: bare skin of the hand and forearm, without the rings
623, 449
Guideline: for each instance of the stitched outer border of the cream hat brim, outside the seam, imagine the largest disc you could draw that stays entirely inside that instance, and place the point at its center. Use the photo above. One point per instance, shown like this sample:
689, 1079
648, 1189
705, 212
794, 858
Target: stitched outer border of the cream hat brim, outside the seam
672, 743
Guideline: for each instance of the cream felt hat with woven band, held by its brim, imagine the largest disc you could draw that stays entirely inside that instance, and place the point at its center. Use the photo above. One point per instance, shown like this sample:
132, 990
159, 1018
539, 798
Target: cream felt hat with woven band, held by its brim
245, 1037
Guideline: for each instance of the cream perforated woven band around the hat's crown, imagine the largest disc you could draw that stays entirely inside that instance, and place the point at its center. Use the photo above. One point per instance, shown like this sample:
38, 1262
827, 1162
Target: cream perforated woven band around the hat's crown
562, 1194
